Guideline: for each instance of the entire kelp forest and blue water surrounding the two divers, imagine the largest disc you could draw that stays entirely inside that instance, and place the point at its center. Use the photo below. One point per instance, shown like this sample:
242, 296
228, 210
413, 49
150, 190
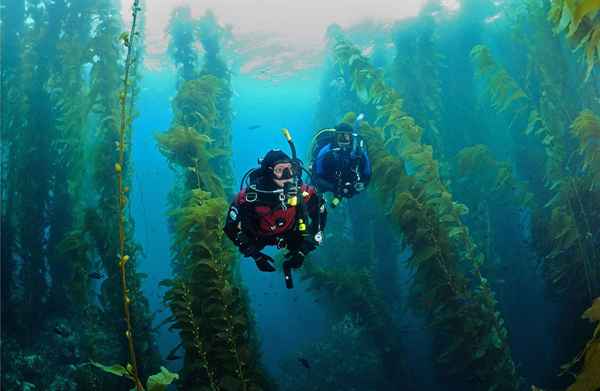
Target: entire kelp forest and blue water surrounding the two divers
470, 262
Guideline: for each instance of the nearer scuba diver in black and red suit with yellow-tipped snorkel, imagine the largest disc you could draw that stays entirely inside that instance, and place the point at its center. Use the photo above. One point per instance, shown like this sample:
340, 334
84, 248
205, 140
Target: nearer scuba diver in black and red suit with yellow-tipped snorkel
274, 208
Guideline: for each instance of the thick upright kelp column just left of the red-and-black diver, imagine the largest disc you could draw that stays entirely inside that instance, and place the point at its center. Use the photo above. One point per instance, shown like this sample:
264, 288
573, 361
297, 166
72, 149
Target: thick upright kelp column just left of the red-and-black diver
208, 308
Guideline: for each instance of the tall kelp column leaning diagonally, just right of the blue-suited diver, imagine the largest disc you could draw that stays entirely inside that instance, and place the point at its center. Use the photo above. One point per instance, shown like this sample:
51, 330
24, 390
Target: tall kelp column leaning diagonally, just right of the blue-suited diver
447, 284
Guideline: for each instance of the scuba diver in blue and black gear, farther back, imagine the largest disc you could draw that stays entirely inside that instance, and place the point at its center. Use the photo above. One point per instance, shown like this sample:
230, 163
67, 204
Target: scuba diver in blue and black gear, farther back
340, 163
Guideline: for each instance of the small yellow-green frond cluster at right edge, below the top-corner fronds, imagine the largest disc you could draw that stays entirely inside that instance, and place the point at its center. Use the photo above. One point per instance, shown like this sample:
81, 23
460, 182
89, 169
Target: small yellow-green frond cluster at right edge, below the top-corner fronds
586, 128
